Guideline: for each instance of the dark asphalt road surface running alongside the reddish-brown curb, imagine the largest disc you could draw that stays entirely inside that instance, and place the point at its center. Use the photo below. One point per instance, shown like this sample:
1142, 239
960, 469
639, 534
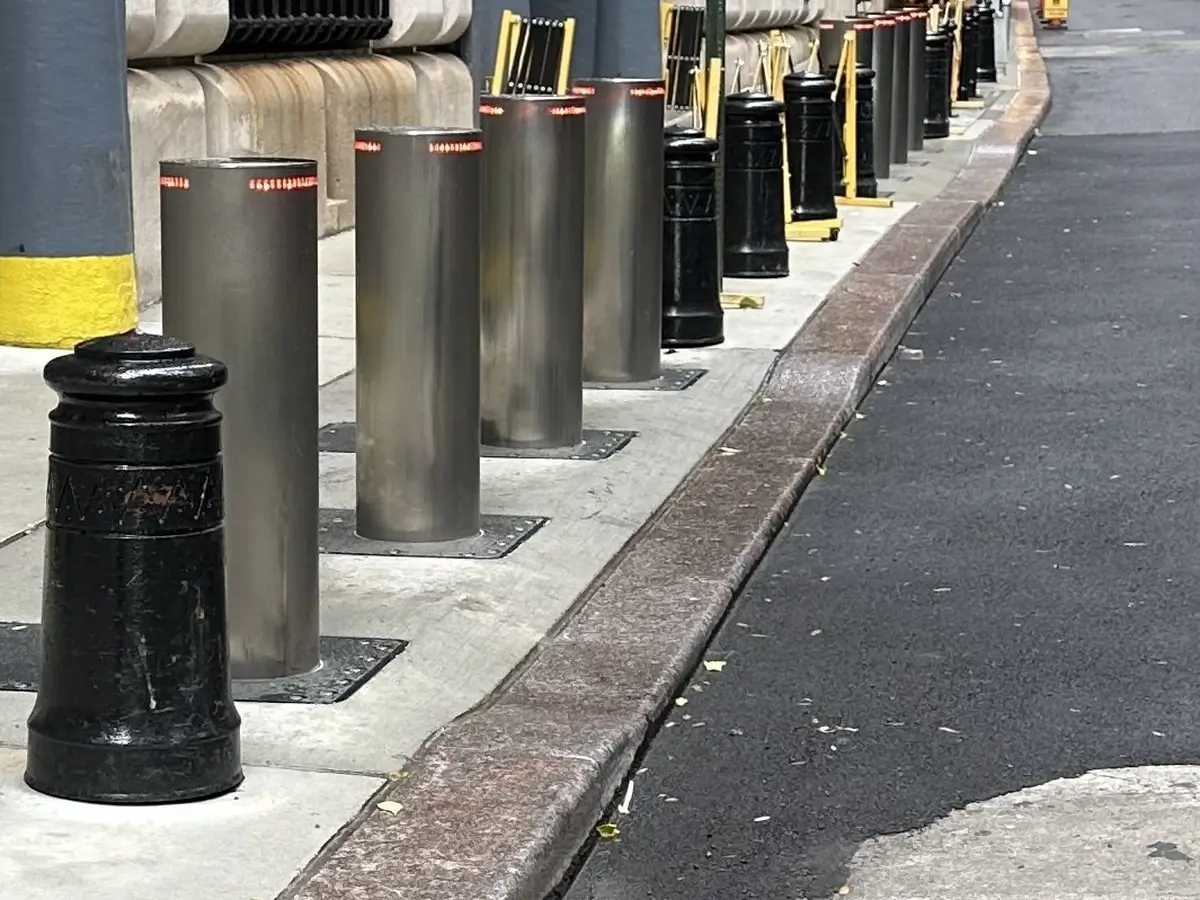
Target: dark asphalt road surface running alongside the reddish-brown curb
995, 585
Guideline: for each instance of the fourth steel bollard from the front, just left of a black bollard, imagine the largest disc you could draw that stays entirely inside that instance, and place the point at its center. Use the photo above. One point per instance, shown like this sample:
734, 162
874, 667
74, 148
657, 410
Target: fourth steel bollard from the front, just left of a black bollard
623, 229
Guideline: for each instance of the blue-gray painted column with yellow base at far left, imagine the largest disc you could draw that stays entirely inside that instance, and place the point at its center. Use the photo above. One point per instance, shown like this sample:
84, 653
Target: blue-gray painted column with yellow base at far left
67, 223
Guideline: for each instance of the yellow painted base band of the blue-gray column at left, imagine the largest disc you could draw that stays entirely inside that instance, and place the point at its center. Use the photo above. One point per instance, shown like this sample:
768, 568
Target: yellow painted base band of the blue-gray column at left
61, 302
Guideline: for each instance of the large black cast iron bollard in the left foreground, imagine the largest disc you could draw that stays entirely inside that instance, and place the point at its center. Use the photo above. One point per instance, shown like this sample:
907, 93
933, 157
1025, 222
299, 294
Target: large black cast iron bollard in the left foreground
135, 701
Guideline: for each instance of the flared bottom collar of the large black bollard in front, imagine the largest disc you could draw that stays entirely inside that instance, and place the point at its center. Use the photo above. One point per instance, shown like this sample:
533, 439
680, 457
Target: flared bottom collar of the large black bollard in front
94, 773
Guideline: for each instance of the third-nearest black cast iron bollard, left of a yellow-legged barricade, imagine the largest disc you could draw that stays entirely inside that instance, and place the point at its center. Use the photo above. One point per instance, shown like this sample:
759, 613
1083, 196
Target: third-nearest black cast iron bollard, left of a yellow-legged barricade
755, 242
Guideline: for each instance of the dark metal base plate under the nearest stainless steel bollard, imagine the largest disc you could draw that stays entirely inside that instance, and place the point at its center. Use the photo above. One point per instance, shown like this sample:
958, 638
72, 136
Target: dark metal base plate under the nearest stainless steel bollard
347, 664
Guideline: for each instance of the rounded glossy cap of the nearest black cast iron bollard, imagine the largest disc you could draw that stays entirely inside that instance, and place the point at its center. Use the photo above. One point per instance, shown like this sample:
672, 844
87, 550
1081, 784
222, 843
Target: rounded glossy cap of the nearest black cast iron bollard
135, 365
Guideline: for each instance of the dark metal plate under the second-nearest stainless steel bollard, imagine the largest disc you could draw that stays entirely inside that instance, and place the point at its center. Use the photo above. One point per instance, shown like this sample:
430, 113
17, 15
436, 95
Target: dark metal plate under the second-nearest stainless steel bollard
499, 538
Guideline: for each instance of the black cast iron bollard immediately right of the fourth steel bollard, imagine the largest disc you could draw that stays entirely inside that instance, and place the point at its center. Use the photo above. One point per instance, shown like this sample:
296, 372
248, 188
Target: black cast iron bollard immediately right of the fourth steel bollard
692, 275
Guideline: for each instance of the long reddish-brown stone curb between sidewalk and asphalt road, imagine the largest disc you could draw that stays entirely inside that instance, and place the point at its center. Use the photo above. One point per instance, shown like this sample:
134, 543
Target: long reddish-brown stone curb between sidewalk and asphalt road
502, 800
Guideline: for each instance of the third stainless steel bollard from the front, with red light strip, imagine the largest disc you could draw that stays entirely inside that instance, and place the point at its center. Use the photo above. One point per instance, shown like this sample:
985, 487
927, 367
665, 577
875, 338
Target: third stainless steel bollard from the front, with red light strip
533, 272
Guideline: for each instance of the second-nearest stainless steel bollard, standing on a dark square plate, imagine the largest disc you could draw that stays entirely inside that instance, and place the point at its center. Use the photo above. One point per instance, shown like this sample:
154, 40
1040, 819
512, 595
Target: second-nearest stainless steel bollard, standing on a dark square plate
418, 194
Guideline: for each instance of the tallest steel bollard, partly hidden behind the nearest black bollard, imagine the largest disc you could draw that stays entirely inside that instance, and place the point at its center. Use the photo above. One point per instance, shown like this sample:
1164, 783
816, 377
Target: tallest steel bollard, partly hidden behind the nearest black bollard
239, 281
